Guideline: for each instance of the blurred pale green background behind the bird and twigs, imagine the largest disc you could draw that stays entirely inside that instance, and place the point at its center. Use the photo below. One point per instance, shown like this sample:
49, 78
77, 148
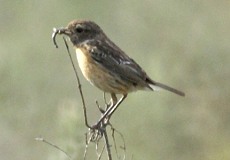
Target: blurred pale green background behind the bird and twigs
184, 44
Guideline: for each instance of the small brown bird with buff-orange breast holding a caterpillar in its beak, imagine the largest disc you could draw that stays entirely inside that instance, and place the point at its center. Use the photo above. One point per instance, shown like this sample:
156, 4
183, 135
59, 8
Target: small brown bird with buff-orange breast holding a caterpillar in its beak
105, 65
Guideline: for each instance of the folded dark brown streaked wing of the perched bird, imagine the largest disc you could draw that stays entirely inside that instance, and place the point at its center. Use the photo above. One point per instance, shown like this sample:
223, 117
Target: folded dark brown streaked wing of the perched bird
118, 63
